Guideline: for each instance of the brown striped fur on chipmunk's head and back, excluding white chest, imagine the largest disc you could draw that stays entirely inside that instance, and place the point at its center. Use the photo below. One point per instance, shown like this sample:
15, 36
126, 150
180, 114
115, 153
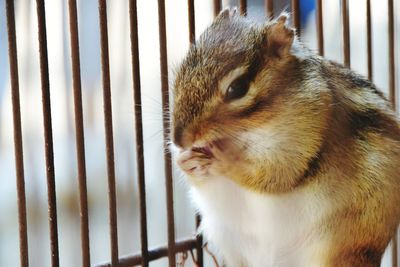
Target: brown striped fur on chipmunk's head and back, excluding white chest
340, 137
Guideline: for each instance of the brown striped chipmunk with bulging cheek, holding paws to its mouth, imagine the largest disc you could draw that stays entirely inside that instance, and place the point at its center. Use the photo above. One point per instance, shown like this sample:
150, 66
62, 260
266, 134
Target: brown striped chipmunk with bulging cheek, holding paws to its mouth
293, 160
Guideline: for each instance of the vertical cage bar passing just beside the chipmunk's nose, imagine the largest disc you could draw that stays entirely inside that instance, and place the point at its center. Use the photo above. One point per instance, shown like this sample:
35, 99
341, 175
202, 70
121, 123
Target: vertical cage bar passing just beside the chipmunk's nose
167, 154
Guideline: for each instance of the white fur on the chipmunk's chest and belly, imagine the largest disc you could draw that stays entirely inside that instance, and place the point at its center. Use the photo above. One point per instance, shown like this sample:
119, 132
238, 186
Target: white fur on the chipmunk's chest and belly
251, 229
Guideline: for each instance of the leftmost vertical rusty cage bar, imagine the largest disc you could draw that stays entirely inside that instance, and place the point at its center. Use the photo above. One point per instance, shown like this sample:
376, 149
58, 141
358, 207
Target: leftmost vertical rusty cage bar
18, 149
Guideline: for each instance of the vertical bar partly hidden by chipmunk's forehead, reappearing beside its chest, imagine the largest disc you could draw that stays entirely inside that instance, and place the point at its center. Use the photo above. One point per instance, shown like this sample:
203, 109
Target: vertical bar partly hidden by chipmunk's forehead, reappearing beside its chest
192, 39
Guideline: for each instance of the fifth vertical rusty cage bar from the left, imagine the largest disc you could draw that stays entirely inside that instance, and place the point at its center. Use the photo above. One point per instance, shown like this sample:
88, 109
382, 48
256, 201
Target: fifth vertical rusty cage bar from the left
139, 129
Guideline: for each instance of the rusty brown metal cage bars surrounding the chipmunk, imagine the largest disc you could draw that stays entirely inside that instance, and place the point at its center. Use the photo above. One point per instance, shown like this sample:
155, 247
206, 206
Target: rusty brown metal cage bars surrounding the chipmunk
173, 246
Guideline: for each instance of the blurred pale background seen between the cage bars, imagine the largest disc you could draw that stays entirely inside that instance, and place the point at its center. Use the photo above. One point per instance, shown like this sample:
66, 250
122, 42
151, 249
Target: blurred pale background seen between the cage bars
124, 132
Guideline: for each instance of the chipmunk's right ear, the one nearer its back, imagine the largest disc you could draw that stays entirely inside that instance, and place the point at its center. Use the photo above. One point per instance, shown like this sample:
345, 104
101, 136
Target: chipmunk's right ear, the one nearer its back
279, 36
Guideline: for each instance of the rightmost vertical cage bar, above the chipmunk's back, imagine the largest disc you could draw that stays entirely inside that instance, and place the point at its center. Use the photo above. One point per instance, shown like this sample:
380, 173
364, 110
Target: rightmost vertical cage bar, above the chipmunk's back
392, 82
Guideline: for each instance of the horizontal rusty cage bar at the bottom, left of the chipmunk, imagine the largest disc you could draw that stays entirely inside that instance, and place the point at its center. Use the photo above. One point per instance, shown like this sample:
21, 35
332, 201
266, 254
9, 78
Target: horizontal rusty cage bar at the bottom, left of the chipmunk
154, 254
